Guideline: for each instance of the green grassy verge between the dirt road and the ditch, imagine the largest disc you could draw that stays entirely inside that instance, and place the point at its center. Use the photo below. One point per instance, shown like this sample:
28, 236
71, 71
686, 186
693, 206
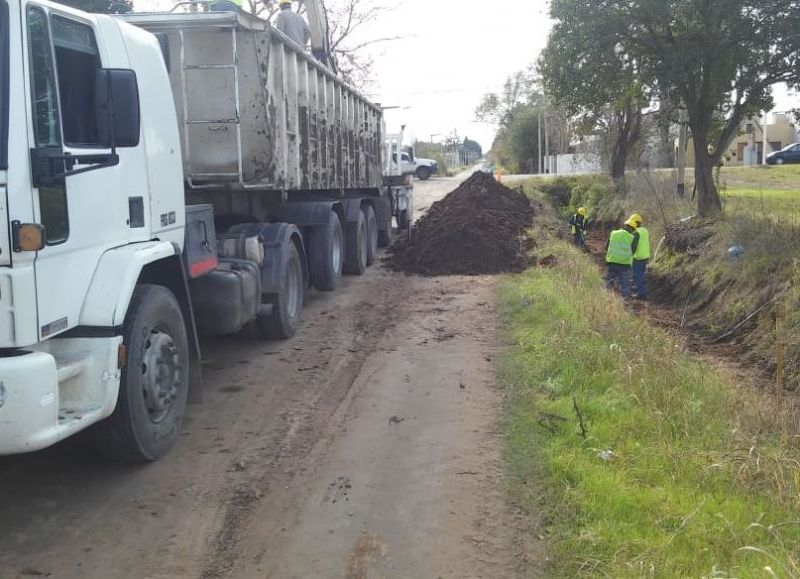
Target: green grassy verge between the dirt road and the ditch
680, 473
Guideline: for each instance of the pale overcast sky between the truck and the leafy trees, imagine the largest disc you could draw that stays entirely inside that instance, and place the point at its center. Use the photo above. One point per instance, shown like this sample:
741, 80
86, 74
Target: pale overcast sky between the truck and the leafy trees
453, 52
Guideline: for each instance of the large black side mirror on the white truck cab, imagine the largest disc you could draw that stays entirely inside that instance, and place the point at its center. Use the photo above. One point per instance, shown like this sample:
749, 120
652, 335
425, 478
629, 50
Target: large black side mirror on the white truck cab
117, 106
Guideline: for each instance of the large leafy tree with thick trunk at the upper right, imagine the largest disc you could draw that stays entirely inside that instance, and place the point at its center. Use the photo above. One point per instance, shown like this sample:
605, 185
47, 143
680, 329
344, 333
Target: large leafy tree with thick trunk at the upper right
719, 59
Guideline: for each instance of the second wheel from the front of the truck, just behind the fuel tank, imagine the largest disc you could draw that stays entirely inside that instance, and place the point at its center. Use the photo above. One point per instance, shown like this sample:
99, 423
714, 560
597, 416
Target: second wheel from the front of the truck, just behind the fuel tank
287, 306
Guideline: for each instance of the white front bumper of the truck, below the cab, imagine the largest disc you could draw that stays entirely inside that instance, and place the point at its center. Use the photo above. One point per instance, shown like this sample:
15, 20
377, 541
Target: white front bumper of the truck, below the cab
46, 397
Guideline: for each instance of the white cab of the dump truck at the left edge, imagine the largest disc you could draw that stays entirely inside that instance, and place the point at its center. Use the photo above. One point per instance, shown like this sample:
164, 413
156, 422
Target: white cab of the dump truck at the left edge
91, 181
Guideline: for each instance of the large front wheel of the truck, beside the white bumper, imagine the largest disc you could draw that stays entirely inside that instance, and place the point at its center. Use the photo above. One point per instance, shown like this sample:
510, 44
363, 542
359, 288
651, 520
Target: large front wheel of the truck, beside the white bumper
155, 380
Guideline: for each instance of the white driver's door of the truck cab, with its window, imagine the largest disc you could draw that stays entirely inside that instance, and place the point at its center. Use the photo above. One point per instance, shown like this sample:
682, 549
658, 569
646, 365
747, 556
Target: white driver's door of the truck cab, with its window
85, 214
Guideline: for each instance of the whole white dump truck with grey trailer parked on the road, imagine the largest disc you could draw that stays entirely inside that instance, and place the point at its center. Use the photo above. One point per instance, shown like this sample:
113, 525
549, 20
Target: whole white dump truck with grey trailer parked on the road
164, 177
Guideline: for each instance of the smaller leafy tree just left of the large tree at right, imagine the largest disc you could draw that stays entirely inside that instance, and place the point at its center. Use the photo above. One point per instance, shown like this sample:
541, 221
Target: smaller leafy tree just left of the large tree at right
584, 72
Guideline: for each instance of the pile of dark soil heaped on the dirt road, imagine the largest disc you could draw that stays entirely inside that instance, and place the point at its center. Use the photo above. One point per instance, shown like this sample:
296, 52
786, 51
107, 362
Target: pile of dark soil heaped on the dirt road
477, 229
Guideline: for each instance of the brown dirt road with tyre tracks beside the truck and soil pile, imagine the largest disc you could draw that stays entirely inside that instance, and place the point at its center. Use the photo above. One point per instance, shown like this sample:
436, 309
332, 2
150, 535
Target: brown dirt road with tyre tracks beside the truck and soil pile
365, 447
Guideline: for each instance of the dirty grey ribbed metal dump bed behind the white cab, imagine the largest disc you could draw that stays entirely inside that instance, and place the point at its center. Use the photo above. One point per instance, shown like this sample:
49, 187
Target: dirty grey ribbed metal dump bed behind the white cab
259, 112
